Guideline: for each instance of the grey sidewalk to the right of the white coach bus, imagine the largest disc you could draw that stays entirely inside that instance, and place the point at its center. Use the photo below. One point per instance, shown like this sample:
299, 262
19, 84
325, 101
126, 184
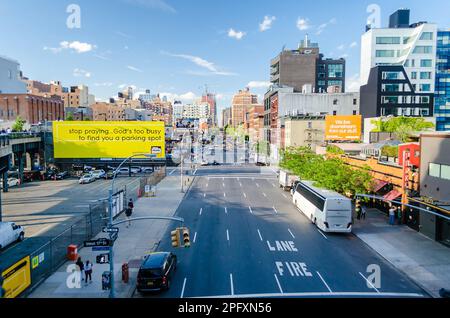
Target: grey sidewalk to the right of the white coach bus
425, 261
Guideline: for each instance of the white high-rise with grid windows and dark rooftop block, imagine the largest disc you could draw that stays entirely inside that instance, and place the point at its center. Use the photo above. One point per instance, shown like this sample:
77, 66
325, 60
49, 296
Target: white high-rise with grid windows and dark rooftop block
412, 46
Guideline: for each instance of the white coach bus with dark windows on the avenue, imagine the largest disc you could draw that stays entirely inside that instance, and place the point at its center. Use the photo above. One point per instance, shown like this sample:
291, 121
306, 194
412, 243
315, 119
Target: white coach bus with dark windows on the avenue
328, 210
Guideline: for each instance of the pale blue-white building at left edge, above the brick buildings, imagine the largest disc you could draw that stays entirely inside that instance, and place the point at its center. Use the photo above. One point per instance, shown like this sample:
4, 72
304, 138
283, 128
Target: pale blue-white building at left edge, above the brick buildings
11, 77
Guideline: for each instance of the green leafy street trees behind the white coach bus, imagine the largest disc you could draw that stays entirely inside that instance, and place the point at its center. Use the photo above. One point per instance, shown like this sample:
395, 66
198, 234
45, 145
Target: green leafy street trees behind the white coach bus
332, 174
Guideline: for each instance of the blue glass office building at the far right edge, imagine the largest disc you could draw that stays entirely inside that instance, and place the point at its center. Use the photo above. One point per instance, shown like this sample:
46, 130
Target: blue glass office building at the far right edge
442, 89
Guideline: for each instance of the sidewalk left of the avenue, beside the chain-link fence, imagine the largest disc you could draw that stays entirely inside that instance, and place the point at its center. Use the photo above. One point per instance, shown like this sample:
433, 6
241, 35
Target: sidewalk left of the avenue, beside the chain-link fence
132, 244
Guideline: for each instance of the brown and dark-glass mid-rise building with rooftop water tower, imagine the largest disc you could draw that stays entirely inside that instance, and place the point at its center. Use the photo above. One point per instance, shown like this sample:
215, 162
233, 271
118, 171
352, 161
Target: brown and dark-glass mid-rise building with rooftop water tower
307, 66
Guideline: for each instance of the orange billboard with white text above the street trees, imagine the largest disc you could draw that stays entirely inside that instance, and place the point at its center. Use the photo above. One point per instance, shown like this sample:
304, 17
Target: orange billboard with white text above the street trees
343, 127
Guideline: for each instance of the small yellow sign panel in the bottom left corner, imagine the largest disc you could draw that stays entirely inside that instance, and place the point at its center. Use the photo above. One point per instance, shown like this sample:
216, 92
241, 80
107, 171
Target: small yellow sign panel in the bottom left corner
17, 278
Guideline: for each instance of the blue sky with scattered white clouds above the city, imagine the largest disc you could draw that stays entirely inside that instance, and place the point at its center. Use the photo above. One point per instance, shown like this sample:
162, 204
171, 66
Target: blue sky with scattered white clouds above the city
175, 47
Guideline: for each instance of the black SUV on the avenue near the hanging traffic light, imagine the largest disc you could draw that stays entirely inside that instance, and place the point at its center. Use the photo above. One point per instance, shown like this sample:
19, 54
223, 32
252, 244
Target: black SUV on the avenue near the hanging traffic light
156, 272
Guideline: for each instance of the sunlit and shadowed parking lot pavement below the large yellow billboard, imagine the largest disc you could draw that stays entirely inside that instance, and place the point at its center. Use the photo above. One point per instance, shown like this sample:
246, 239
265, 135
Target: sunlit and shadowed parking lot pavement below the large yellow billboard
50, 206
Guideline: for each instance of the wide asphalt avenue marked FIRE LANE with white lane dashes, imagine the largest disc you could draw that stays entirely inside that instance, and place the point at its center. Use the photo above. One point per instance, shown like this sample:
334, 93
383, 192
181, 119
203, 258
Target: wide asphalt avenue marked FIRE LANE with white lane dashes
248, 240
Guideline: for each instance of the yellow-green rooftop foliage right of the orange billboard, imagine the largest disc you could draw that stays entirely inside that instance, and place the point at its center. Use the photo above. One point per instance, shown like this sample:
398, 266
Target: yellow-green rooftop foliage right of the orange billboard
402, 126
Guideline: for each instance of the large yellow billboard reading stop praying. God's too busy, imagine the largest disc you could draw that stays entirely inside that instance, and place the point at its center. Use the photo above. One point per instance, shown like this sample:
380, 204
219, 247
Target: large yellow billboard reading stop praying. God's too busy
108, 140
